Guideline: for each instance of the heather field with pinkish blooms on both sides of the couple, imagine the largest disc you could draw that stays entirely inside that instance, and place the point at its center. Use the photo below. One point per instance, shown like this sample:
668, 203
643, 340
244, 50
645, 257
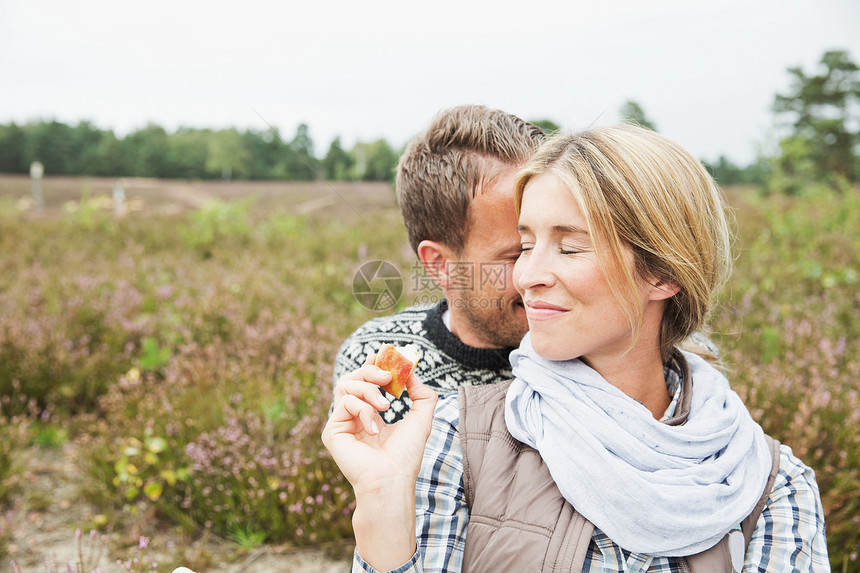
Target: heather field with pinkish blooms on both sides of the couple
180, 355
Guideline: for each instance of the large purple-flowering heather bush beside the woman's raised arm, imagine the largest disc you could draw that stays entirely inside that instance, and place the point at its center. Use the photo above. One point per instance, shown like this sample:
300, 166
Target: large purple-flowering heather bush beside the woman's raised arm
227, 435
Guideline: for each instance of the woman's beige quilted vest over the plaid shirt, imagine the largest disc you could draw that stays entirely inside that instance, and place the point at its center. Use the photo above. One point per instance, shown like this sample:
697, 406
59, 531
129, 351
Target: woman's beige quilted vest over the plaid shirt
518, 519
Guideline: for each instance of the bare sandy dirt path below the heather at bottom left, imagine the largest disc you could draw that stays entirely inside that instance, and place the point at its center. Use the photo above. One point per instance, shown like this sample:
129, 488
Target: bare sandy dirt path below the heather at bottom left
49, 509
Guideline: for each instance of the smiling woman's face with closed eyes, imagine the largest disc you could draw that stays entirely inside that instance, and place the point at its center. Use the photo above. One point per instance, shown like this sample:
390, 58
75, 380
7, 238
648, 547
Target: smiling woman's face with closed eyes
571, 310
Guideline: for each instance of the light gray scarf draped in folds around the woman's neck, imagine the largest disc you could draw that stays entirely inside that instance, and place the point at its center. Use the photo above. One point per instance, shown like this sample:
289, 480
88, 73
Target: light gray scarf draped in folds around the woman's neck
652, 488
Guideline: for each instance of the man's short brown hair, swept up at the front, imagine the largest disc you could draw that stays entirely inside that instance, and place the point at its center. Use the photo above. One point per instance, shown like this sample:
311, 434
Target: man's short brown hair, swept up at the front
443, 168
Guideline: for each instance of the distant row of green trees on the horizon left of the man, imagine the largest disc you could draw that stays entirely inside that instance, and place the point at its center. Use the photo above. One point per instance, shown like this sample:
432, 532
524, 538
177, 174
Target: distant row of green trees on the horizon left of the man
84, 149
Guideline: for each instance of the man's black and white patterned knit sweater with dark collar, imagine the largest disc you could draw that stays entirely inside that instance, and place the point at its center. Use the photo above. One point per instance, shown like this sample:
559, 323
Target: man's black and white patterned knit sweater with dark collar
445, 364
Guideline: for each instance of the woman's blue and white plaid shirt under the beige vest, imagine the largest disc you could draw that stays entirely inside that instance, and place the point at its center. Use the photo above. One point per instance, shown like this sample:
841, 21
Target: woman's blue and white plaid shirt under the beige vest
789, 535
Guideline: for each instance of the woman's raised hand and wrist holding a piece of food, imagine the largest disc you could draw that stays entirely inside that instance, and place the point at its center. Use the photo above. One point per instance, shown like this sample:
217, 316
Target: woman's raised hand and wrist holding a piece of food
380, 461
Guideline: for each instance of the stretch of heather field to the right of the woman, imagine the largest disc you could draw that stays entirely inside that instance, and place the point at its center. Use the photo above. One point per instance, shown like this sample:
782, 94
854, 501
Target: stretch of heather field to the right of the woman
788, 328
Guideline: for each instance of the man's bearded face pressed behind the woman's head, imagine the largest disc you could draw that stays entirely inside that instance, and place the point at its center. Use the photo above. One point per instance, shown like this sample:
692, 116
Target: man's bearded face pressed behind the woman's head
486, 310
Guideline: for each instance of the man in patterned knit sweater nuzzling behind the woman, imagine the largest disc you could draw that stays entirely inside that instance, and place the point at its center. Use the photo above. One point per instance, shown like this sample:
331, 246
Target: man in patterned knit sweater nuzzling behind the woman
455, 186
